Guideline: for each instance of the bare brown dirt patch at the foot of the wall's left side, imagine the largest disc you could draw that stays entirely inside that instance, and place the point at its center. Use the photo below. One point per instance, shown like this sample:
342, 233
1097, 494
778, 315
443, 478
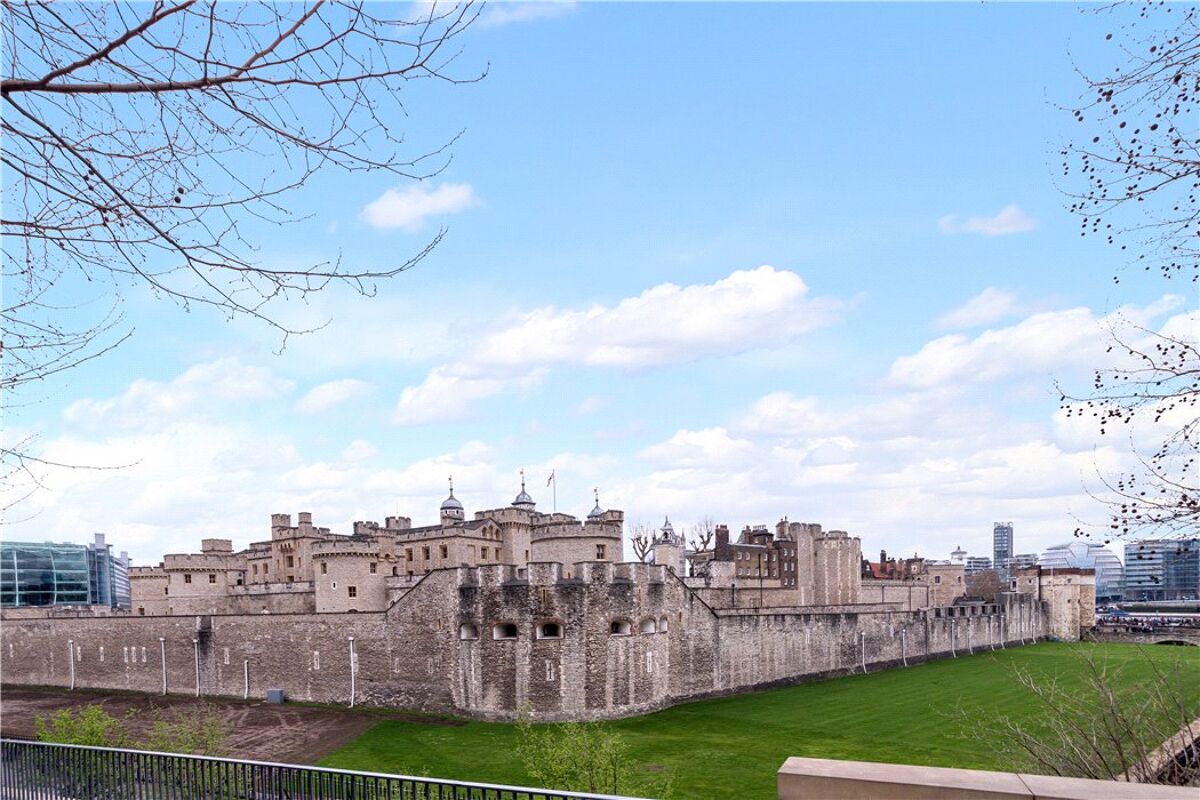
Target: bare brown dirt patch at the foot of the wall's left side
293, 735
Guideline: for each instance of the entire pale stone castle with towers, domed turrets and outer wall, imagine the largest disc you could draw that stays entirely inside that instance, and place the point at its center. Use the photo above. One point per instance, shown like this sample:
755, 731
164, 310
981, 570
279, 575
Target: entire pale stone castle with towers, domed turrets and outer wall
519, 611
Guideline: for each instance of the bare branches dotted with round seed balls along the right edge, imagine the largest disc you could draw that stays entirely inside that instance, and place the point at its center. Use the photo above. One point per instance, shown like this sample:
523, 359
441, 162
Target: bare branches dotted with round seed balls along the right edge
1133, 178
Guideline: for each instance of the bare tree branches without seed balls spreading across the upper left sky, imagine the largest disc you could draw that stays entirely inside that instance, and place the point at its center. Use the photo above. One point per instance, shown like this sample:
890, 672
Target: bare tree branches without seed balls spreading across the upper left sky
142, 141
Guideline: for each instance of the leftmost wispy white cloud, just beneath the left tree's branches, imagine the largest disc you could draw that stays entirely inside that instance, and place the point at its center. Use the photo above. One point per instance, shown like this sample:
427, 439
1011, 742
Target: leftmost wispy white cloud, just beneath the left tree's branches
202, 388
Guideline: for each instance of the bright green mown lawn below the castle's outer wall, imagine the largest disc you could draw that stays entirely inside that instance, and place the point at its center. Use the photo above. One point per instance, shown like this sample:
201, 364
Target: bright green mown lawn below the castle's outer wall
731, 748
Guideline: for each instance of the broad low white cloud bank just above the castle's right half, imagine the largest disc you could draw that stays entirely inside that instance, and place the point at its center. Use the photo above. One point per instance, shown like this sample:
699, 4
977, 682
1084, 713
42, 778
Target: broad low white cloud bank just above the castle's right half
922, 482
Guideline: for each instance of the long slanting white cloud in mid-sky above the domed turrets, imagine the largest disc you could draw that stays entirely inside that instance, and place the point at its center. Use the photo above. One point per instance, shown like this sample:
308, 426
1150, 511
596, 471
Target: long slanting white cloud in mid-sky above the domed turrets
664, 326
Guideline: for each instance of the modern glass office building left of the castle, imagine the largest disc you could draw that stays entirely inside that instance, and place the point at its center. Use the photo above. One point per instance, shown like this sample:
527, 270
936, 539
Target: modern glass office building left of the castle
47, 574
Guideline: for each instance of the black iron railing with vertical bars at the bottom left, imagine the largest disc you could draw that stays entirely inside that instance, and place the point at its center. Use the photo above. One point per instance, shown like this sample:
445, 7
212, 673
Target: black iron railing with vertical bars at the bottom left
37, 771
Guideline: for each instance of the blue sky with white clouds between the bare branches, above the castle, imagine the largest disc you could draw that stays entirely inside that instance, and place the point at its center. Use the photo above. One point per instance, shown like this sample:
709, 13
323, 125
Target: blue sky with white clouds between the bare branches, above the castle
730, 261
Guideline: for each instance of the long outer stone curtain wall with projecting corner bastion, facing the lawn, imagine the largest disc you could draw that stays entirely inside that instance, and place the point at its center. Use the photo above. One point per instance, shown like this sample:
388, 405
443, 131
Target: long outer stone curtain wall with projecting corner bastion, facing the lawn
443, 647
